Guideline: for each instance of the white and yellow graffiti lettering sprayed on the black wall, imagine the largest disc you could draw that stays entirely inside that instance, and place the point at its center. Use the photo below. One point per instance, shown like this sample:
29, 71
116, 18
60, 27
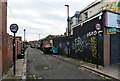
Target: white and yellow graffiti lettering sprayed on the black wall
88, 42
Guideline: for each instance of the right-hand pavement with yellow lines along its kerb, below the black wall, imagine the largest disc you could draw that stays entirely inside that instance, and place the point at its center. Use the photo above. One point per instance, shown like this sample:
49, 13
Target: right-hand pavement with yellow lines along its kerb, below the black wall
112, 71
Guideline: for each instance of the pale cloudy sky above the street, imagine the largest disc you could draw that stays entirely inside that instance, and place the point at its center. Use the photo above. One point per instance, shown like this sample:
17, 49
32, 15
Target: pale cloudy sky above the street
42, 17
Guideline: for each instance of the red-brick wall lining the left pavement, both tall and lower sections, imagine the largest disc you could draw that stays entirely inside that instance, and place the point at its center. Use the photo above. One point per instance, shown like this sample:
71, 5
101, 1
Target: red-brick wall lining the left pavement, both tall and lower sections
6, 41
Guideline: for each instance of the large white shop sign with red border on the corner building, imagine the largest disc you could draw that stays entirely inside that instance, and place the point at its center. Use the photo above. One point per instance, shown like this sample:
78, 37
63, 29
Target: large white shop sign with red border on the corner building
112, 20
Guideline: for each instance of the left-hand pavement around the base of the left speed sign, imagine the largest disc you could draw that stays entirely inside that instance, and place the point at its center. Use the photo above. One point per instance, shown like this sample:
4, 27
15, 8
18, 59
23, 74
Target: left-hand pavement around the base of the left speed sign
20, 71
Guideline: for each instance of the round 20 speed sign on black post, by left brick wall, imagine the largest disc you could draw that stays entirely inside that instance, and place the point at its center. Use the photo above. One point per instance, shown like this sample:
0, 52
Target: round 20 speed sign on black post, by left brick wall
14, 29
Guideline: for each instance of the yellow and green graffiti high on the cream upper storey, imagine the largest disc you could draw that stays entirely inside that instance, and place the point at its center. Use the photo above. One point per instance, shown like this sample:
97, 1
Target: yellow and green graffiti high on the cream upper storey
113, 6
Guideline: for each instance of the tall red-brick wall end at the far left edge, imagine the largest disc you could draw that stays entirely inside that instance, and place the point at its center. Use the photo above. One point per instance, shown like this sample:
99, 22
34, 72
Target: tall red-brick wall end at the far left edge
4, 37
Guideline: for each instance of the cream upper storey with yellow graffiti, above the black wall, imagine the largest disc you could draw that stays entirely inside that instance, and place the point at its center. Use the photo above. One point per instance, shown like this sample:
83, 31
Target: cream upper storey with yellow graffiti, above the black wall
92, 9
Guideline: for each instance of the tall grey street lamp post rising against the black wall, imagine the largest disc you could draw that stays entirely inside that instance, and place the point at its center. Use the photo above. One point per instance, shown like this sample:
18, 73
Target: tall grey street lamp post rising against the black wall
68, 22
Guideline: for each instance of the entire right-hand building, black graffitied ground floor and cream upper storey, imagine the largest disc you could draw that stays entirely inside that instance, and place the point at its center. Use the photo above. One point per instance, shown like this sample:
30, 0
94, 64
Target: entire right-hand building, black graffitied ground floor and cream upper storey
83, 41
